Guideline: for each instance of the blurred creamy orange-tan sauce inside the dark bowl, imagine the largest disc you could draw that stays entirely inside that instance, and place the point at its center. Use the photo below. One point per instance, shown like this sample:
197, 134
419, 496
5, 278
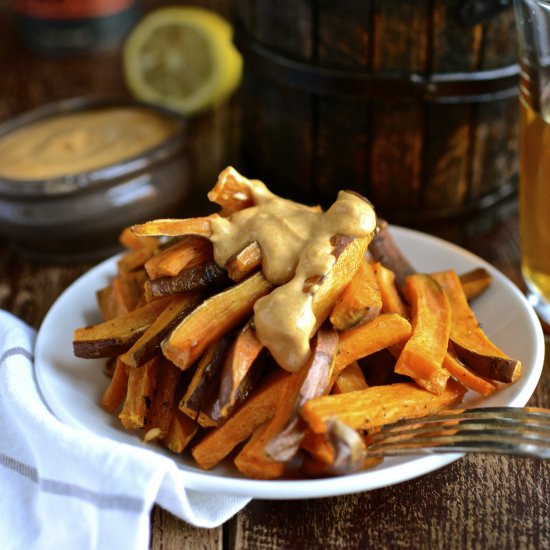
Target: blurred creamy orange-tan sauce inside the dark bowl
79, 142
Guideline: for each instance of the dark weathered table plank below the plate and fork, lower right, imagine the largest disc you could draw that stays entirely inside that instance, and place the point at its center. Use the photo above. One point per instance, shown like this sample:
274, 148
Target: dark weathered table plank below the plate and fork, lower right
474, 503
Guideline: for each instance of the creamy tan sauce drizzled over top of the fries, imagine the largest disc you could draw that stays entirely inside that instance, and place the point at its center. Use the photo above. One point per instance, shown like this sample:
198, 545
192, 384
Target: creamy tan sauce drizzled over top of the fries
295, 243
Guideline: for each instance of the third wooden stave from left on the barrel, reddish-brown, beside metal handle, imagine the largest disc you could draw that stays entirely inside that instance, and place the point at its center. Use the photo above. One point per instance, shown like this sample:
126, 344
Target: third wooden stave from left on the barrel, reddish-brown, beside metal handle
397, 132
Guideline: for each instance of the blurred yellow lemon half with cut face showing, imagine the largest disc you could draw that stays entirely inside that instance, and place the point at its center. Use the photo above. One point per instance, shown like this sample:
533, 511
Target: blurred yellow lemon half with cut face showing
182, 58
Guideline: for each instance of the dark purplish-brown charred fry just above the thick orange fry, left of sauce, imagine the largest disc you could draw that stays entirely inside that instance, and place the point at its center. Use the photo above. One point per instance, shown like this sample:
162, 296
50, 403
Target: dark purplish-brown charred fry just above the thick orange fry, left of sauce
199, 277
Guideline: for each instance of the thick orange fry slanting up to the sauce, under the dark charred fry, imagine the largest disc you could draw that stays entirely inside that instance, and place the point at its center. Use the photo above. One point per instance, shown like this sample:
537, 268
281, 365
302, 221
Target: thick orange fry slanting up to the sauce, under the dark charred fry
212, 319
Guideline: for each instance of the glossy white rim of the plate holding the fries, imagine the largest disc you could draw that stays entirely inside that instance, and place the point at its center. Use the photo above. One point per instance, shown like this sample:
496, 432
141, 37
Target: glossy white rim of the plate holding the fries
211, 482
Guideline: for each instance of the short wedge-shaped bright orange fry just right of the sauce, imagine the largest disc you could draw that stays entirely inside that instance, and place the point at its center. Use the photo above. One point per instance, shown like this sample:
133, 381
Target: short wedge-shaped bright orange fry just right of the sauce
360, 302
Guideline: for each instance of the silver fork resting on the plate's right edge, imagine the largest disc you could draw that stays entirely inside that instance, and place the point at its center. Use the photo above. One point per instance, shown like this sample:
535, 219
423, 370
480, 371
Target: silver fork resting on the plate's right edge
501, 430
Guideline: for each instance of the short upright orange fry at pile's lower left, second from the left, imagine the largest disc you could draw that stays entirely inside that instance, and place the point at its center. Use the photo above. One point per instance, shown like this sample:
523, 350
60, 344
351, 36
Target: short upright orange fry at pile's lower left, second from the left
141, 383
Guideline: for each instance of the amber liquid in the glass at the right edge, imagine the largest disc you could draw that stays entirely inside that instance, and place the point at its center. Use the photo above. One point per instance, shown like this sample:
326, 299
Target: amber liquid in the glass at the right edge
535, 200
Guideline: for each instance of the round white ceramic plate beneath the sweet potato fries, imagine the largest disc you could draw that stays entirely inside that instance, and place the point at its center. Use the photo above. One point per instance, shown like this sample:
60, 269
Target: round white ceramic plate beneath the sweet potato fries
72, 387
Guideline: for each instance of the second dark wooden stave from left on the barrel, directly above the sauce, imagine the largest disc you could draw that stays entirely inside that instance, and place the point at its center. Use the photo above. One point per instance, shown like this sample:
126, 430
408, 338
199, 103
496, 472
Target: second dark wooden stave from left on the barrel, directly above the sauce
343, 163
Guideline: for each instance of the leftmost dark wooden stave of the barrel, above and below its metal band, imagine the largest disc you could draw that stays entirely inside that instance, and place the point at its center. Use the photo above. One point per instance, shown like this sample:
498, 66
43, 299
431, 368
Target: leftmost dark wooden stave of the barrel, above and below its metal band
279, 117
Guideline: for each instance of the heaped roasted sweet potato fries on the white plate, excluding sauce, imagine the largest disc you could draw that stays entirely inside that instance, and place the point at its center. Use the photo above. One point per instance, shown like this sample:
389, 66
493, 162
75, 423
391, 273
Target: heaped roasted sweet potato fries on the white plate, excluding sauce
187, 369
